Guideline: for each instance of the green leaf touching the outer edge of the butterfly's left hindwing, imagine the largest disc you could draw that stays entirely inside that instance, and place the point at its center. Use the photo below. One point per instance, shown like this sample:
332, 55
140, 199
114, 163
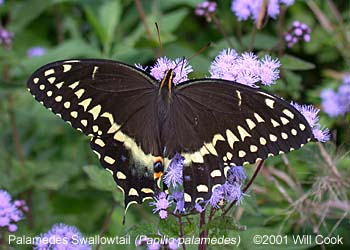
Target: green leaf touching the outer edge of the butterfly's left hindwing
100, 178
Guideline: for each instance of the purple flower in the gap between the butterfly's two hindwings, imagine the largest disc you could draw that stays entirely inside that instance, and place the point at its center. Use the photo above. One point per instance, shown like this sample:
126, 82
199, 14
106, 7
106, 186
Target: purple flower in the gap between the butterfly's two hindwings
173, 175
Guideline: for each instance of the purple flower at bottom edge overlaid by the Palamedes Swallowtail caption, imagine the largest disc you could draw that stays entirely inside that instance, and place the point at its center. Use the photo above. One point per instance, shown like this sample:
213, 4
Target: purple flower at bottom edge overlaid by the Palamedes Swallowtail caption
63, 237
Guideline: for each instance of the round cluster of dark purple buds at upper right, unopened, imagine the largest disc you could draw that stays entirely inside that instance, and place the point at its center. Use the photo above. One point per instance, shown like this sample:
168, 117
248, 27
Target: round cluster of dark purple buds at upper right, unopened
297, 32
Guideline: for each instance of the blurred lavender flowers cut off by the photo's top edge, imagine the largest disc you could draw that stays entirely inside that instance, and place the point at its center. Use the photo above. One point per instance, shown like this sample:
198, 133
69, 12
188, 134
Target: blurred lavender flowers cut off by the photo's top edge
244, 9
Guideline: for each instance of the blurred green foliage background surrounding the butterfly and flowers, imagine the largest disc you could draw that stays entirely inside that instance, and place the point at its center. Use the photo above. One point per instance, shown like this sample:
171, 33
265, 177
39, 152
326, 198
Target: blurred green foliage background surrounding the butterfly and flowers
50, 165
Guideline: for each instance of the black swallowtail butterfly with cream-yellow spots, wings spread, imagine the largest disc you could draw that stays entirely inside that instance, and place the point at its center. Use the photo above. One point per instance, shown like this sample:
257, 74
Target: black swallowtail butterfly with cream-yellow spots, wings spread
137, 124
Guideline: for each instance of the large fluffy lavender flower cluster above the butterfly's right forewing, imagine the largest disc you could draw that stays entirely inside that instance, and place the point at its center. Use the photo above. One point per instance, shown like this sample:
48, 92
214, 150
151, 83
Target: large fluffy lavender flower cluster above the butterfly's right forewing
245, 68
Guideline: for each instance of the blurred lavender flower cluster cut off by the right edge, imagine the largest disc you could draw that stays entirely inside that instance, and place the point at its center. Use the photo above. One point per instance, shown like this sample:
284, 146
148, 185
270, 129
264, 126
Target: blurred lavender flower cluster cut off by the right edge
337, 103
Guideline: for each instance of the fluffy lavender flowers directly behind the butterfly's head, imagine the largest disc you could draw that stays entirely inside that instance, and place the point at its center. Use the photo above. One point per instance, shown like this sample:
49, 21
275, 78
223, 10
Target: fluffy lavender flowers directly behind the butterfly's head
180, 67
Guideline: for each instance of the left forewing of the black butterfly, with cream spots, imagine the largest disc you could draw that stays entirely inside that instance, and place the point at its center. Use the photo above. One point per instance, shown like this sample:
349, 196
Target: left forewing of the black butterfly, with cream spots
95, 96
